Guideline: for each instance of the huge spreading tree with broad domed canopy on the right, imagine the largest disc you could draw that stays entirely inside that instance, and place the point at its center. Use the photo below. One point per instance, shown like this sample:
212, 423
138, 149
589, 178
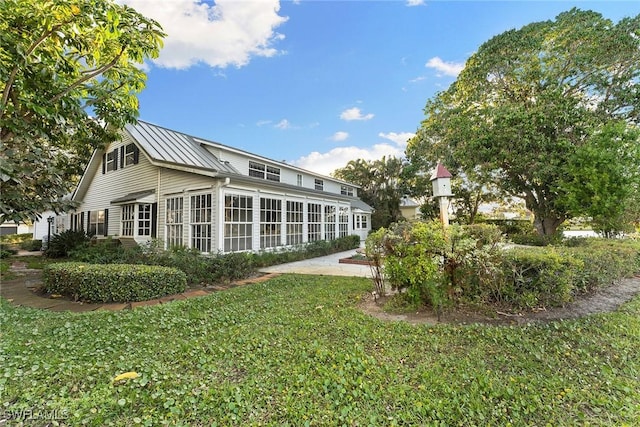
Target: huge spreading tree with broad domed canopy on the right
530, 100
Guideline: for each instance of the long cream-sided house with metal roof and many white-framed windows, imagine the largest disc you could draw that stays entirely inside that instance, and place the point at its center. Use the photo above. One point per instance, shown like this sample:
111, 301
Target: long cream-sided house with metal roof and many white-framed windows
184, 190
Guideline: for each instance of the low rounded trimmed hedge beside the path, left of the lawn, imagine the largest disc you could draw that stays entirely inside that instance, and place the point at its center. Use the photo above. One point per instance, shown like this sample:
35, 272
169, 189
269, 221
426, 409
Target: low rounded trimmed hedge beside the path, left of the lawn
112, 282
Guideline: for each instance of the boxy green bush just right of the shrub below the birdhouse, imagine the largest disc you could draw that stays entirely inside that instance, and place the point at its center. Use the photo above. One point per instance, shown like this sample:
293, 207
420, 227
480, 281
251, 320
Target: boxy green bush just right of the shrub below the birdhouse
536, 277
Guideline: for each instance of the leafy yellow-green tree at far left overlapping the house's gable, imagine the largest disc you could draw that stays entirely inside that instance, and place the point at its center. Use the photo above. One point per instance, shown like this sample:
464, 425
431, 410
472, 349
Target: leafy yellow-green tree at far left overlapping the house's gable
70, 74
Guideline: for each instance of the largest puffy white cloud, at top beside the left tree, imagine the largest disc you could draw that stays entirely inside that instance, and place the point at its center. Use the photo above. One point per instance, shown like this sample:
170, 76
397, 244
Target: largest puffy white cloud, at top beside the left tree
229, 32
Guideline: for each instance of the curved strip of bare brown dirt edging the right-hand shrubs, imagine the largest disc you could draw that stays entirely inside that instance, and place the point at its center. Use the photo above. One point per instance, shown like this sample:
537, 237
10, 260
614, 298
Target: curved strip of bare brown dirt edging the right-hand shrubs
601, 301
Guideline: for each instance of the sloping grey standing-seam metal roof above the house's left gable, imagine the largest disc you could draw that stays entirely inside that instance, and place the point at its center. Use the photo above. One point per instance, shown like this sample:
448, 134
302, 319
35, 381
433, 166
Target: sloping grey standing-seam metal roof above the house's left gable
169, 146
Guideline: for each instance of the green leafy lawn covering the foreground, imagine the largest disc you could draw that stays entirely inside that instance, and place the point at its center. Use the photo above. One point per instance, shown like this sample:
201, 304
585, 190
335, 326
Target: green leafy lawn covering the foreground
296, 350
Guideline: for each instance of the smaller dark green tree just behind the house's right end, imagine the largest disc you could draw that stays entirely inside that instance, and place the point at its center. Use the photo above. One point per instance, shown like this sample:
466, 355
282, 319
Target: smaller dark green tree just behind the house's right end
381, 187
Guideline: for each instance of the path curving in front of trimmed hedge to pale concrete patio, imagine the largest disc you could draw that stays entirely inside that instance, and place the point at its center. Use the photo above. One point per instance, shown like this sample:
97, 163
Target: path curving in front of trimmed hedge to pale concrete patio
22, 291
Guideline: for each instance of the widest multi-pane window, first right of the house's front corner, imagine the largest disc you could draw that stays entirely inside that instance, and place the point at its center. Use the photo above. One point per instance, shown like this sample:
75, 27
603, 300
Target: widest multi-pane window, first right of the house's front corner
238, 222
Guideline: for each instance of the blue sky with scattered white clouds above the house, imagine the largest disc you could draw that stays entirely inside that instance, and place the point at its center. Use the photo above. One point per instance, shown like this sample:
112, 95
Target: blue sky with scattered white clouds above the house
316, 83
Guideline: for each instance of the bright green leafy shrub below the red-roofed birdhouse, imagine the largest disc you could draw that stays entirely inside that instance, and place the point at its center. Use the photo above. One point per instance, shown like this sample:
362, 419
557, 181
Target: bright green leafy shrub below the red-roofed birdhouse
434, 265
